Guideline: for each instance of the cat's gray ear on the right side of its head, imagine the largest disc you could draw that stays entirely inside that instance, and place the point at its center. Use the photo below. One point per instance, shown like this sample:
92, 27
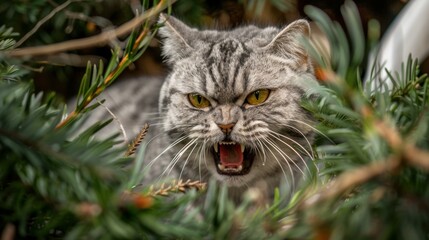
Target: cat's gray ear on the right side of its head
288, 43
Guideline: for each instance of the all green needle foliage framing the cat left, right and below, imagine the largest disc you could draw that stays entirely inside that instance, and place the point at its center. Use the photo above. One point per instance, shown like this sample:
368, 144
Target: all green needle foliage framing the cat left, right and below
55, 183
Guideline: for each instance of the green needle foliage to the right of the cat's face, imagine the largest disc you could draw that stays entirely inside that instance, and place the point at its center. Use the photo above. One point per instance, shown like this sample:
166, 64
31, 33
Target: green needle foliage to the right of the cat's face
373, 131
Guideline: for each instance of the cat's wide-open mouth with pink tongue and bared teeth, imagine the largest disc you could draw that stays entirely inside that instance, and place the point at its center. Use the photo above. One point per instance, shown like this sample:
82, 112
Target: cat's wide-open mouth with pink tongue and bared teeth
232, 158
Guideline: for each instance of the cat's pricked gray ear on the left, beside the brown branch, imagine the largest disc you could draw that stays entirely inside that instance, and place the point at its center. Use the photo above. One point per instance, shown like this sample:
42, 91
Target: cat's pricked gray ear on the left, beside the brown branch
177, 38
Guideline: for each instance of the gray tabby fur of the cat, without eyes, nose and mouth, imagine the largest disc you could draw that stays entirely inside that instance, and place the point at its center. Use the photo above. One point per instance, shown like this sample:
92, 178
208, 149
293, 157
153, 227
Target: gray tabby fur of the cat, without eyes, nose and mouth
224, 67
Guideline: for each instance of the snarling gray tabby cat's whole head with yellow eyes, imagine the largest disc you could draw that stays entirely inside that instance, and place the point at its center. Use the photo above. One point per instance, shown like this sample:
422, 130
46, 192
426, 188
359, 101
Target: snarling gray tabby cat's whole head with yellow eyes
232, 100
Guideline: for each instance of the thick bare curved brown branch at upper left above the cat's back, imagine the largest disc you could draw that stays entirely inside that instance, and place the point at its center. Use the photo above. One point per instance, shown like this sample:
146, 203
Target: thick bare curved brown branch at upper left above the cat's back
97, 40
